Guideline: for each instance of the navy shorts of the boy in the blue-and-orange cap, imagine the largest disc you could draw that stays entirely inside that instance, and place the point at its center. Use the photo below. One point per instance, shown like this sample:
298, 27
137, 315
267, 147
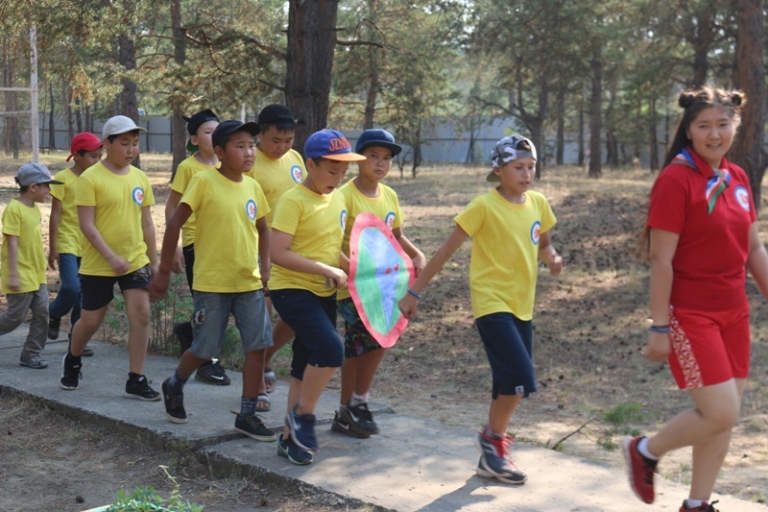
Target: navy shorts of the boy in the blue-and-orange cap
313, 319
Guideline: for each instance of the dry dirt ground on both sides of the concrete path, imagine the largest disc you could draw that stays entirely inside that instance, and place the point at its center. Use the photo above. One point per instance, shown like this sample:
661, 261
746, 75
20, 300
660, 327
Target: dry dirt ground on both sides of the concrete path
590, 324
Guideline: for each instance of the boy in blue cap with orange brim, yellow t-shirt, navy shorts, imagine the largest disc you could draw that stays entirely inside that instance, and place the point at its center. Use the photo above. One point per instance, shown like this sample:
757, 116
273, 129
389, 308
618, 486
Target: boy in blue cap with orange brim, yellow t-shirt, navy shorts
307, 232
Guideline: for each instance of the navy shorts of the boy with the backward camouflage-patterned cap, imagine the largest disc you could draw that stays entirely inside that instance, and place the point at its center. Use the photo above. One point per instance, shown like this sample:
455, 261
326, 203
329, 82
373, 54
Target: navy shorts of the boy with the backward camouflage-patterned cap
508, 343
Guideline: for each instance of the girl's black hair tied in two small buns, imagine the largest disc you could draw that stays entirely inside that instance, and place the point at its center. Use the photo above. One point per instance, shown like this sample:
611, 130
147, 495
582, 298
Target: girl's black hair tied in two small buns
693, 101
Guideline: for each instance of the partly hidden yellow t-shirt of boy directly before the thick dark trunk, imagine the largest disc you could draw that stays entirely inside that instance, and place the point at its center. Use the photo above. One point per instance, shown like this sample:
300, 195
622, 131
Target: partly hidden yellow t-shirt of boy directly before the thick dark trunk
276, 177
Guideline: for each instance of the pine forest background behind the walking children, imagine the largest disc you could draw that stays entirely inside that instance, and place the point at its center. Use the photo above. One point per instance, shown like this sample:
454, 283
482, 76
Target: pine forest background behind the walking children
607, 73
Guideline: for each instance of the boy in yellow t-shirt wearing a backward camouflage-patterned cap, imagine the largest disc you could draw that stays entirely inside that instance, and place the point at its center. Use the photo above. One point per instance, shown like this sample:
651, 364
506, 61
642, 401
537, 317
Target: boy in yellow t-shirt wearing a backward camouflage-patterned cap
510, 229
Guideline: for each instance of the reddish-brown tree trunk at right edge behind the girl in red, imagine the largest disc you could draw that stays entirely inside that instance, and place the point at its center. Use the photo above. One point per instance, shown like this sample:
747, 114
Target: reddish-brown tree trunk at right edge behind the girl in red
747, 150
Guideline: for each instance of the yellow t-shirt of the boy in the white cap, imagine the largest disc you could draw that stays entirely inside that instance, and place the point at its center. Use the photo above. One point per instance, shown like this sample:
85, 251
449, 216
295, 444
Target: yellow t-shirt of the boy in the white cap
118, 201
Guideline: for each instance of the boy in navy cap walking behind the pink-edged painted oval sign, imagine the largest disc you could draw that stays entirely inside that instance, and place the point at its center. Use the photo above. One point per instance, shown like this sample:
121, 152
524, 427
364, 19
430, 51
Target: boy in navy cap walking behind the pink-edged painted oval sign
362, 353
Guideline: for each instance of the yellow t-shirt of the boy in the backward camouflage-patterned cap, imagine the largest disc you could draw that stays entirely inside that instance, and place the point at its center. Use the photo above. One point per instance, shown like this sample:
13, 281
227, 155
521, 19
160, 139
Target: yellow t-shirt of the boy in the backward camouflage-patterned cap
503, 268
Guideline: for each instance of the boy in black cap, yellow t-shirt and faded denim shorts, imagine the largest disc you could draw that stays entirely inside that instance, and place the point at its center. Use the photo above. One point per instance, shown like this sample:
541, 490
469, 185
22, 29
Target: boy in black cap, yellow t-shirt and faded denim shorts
231, 233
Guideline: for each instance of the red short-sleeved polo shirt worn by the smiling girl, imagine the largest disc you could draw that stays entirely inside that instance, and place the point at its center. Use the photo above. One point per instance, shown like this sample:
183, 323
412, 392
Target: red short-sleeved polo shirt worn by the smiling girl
709, 263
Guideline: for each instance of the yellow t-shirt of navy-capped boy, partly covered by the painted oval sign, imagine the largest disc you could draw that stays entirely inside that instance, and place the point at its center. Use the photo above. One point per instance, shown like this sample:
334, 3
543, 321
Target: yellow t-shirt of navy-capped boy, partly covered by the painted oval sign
386, 207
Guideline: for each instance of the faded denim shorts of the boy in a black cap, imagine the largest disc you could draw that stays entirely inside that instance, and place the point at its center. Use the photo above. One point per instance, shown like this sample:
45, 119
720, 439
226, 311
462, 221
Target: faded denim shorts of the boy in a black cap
211, 316
